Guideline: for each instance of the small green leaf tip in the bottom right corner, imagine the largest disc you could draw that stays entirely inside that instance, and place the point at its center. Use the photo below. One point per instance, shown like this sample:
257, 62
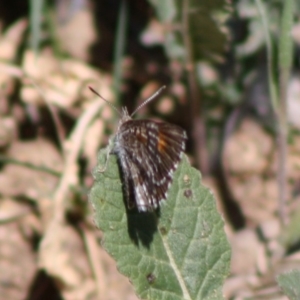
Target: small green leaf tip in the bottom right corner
289, 283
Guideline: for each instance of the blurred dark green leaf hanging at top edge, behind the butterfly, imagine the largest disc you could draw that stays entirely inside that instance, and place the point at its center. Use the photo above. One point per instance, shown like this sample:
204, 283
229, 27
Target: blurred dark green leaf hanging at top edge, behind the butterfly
206, 27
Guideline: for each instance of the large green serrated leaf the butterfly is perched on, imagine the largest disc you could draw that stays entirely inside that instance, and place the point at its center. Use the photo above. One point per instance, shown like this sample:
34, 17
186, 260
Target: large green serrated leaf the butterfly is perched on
180, 252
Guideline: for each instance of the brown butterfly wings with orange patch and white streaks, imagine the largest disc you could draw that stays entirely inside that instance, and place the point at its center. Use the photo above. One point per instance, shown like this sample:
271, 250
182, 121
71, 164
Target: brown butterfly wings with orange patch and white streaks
149, 153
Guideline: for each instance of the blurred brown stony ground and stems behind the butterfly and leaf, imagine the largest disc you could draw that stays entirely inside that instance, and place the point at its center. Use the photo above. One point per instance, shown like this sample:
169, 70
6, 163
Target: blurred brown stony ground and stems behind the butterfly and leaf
215, 60
